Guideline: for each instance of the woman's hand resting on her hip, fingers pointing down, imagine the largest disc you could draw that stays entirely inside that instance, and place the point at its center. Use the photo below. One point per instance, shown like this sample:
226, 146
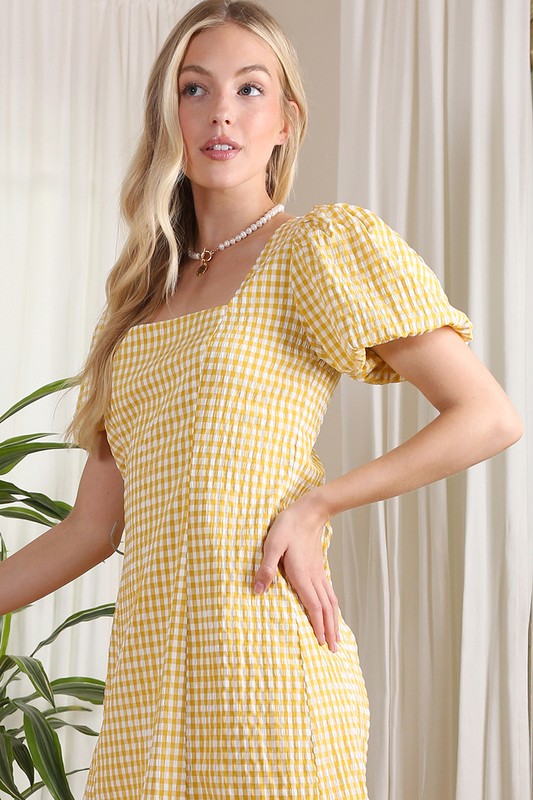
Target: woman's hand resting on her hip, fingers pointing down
294, 543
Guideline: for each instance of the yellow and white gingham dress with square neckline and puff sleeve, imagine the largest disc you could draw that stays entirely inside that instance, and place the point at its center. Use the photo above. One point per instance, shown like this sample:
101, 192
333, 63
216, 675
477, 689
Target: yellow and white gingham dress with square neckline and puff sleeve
214, 692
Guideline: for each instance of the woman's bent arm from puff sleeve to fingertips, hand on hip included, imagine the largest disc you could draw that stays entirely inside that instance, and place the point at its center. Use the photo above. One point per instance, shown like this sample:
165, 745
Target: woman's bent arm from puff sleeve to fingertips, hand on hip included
476, 420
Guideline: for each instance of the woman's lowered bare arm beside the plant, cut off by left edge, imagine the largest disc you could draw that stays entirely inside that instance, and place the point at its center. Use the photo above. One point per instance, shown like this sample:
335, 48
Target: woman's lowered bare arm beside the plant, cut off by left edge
73, 546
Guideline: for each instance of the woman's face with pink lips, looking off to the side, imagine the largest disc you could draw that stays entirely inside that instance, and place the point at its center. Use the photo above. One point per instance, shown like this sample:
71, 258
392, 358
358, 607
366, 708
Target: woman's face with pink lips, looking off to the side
230, 109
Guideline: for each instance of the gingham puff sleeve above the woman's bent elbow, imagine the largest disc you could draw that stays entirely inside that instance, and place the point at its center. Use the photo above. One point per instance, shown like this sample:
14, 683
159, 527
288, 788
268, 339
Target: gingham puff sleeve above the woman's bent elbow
356, 284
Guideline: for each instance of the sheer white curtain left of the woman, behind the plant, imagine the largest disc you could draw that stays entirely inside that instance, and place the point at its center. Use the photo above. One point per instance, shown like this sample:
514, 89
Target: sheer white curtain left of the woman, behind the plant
72, 76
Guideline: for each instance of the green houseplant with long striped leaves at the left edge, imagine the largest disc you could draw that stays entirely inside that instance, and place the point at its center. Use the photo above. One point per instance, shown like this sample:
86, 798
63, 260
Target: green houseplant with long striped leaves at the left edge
28, 723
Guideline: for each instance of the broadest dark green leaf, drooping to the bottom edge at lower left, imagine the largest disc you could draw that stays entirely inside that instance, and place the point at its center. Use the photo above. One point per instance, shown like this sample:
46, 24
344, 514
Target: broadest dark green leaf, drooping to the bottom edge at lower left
45, 749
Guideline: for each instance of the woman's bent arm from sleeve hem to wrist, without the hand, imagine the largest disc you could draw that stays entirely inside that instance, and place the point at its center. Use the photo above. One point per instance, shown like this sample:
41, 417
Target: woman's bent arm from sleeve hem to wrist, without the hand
476, 420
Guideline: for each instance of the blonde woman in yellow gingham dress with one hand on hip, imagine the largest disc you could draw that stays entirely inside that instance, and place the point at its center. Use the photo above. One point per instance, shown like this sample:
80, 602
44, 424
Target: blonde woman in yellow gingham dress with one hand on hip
228, 324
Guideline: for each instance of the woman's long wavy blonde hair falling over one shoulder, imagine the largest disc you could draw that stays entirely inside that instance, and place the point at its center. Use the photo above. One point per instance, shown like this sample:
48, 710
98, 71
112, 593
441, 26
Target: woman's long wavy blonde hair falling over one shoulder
156, 197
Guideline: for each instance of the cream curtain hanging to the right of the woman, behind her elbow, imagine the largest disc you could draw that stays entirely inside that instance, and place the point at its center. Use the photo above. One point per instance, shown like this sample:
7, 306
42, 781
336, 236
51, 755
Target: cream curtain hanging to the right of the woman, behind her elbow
435, 136
